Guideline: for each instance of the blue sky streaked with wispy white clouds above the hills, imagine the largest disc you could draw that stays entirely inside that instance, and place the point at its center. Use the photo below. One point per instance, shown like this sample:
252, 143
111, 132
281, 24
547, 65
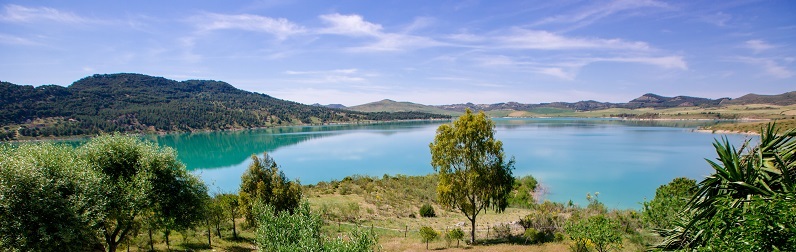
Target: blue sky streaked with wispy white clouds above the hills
430, 52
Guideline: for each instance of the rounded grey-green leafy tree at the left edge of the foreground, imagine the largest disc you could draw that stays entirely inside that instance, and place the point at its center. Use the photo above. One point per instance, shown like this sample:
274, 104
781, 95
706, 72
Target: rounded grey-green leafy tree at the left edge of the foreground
48, 199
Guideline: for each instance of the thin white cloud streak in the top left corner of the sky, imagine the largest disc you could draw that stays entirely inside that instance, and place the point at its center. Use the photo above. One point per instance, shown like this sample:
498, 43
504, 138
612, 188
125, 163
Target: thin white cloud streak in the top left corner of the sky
21, 14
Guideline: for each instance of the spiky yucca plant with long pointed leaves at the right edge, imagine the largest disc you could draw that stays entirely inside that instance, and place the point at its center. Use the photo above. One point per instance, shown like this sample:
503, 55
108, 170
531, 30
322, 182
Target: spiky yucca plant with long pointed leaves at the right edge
763, 172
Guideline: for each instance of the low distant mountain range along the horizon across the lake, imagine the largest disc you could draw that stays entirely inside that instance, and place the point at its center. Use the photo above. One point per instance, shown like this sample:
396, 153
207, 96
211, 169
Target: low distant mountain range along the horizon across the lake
645, 101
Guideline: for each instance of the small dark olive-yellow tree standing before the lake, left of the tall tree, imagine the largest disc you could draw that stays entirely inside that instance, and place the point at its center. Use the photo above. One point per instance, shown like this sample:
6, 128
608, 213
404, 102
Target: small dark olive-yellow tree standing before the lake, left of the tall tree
263, 181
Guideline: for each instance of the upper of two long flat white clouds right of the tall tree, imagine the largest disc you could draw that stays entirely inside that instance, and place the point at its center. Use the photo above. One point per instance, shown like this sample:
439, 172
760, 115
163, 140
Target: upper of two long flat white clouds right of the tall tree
544, 40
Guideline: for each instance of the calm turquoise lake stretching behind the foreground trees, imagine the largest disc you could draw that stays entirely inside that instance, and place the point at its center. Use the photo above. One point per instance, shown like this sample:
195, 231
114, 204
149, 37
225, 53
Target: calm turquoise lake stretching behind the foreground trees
625, 161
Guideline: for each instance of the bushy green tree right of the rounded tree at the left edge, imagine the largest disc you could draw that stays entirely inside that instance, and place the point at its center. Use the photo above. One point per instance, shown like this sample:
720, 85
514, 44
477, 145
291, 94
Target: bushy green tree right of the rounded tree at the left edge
145, 183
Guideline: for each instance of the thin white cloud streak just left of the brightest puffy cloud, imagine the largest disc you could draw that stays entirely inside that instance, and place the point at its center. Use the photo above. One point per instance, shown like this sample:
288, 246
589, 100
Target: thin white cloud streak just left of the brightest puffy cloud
279, 27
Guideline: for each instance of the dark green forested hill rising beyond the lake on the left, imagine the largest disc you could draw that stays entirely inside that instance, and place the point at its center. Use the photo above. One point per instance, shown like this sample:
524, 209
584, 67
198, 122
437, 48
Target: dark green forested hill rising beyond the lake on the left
141, 103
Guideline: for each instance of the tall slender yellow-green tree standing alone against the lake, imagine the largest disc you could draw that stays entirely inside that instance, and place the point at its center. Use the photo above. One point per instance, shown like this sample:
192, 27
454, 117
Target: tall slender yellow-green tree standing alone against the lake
473, 175
